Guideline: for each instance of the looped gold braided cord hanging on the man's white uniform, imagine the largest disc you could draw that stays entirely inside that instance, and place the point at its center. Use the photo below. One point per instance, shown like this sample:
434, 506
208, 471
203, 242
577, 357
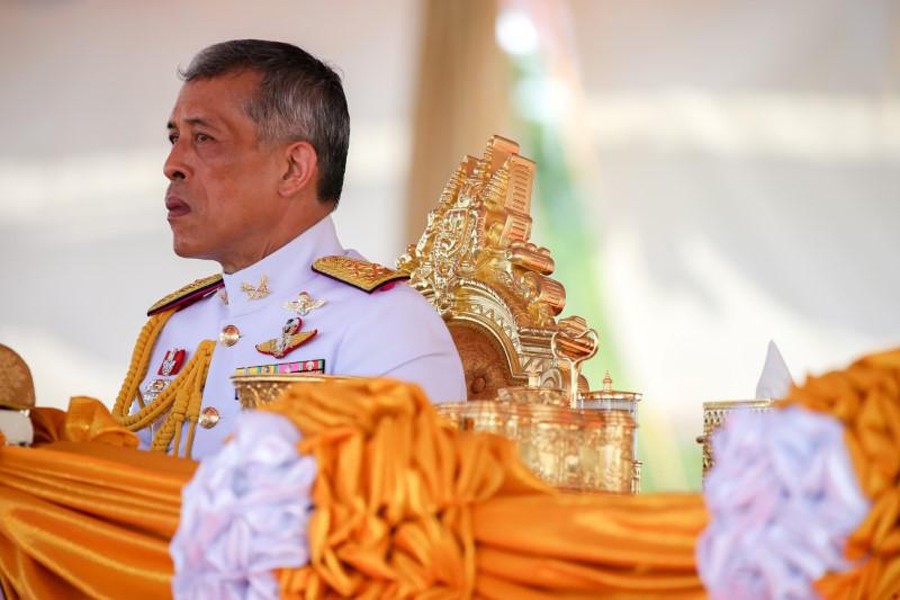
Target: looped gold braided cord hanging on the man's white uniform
181, 398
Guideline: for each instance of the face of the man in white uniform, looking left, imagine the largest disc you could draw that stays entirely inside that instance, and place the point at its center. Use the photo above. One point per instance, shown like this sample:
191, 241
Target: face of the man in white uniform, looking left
222, 198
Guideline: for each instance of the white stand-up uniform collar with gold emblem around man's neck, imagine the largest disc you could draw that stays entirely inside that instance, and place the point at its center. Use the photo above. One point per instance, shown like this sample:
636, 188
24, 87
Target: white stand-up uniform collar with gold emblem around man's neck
285, 272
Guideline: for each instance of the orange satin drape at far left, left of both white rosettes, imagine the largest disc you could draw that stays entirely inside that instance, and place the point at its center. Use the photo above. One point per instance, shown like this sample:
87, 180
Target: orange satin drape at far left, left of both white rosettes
86, 515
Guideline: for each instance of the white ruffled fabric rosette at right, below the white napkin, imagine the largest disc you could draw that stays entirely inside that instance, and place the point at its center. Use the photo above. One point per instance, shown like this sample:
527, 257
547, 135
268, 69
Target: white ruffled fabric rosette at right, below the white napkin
783, 497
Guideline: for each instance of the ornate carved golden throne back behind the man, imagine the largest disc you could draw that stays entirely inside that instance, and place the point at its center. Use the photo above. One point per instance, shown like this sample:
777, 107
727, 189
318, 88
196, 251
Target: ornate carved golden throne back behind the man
475, 264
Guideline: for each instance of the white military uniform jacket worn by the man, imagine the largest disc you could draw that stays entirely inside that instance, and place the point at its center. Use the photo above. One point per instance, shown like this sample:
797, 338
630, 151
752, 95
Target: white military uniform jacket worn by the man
387, 333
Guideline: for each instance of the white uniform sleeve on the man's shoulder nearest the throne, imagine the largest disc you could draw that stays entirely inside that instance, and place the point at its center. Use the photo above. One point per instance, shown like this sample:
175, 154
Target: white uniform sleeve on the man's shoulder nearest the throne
398, 334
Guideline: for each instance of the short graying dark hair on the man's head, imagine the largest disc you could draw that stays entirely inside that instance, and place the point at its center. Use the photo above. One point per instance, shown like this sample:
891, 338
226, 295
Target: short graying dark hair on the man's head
300, 98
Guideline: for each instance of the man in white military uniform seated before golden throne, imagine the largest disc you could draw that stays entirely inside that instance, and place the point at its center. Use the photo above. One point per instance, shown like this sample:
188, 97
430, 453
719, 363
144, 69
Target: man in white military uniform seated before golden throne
259, 137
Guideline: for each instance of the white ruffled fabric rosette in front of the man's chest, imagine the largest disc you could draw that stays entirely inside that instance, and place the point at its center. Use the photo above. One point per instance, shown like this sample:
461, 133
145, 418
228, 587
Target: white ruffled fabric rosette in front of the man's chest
244, 513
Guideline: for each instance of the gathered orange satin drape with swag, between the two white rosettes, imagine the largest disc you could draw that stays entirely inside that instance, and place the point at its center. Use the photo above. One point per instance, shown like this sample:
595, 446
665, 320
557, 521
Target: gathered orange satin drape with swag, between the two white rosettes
407, 507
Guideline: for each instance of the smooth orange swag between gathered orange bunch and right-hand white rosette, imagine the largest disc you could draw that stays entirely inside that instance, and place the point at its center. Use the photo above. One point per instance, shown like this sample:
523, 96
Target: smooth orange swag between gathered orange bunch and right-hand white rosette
588, 544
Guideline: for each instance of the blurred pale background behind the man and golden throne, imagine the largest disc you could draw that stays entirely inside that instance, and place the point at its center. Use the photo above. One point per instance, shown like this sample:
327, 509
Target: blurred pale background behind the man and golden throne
712, 174
